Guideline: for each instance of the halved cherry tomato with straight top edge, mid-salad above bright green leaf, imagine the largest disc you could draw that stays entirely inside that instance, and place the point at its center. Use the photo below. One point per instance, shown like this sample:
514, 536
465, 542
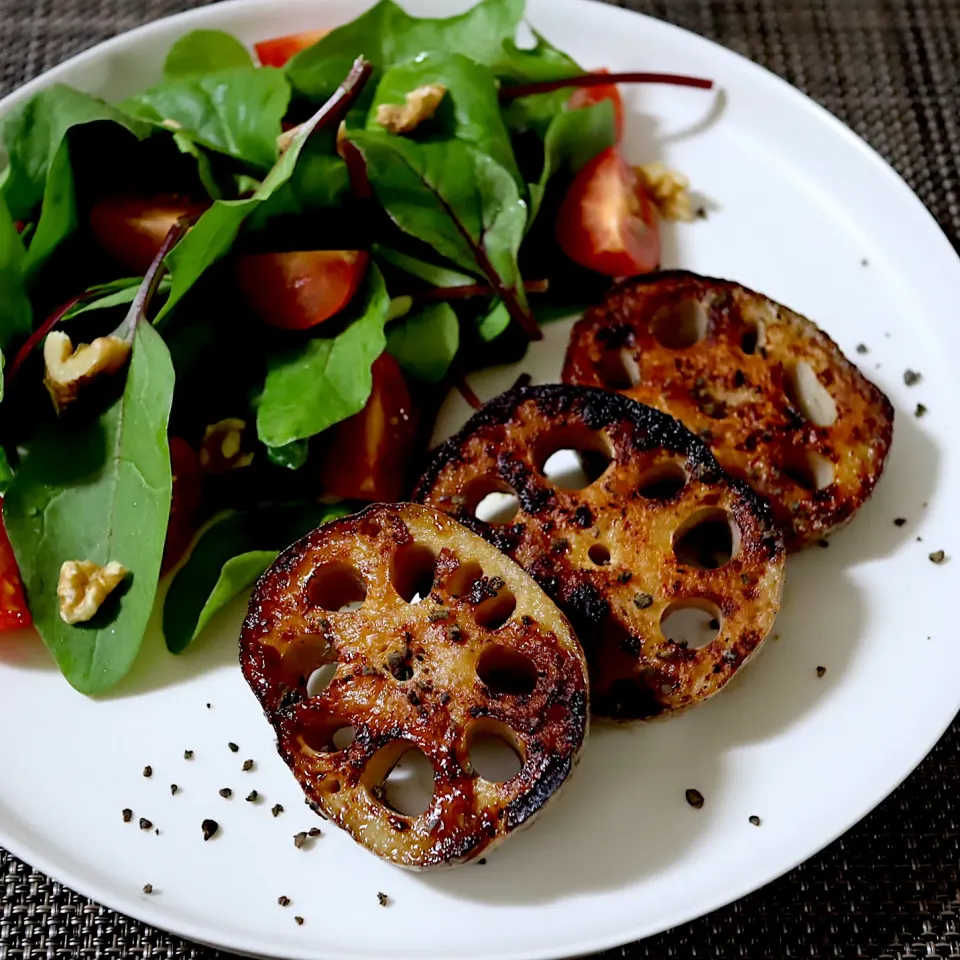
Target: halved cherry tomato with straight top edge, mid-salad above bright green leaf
296, 291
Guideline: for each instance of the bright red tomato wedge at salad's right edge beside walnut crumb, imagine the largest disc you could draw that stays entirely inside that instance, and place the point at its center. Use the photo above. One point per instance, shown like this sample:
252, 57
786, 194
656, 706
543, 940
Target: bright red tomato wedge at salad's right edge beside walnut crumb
607, 221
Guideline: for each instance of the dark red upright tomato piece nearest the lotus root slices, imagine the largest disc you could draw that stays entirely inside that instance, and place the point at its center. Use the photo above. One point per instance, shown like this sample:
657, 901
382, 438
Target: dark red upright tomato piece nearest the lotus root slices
369, 454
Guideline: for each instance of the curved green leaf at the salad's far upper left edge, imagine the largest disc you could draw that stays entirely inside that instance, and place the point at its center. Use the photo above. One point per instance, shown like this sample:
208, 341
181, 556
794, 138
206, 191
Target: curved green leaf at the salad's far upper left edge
33, 132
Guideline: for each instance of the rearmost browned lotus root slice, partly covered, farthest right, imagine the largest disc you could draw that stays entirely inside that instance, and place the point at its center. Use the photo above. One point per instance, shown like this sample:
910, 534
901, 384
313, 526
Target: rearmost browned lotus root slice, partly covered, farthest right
770, 392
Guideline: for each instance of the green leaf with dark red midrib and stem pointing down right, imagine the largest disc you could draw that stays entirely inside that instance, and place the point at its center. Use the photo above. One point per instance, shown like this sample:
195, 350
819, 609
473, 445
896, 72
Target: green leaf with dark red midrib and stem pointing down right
460, 201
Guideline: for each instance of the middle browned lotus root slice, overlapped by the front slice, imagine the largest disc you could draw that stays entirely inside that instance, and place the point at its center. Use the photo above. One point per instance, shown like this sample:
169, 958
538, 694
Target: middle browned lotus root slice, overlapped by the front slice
662, 529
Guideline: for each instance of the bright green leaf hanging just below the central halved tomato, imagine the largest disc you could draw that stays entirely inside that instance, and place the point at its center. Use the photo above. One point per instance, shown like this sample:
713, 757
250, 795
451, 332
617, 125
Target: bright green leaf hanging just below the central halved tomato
323, 381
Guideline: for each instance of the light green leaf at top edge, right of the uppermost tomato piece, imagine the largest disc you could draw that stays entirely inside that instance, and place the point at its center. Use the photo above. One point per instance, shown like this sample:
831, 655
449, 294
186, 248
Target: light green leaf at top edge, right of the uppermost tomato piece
386, 35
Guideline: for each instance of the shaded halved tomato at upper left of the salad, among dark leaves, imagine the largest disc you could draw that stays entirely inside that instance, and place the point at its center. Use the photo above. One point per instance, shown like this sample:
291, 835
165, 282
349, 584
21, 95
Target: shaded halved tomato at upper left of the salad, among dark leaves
132, 229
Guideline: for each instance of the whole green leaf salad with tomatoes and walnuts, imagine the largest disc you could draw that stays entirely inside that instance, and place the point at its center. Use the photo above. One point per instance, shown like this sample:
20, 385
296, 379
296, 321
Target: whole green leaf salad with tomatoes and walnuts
230, 304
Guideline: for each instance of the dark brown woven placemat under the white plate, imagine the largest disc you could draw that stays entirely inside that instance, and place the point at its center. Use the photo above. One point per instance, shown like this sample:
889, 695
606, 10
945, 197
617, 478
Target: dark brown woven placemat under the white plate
891, 887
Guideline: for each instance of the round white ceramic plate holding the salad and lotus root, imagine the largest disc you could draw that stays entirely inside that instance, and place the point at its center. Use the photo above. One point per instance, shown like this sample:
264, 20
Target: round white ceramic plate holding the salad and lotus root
802, 210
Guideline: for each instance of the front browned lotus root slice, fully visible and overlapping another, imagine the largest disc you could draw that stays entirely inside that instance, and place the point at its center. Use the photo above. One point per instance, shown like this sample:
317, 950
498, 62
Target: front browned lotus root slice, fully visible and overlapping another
483, 654
